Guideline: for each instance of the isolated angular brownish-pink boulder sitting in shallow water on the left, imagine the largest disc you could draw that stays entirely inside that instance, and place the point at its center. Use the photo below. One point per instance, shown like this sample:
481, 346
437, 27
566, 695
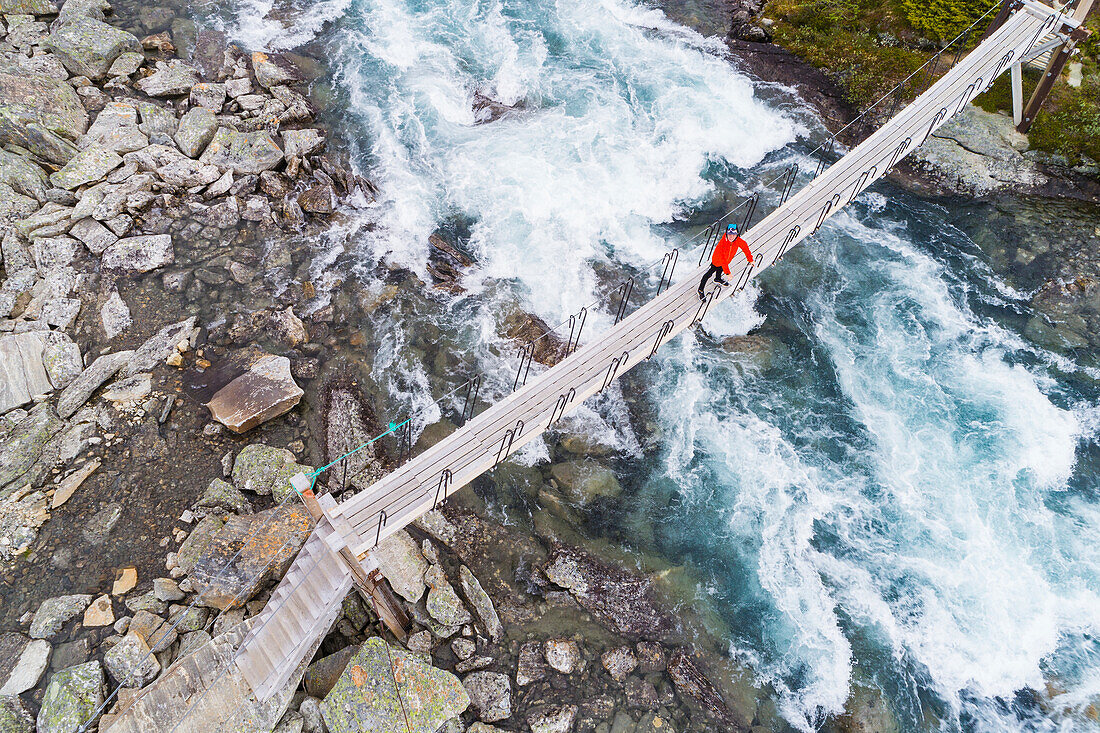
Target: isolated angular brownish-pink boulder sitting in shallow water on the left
267, 391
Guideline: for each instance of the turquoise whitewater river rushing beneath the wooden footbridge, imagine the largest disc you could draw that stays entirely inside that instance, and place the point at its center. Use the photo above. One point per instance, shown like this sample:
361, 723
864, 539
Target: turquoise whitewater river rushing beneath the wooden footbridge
898, 488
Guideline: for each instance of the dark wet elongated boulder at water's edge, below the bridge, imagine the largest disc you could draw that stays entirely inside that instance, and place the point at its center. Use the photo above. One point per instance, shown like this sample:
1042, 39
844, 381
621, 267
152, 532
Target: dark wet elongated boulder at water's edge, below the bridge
621, 599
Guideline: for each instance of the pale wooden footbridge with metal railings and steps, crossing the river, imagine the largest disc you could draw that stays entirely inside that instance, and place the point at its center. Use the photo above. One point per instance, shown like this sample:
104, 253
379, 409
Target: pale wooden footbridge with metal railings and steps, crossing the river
276, 646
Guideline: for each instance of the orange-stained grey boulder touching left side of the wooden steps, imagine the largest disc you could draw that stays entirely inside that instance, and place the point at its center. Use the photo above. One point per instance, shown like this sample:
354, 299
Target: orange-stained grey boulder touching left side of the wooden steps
246, 553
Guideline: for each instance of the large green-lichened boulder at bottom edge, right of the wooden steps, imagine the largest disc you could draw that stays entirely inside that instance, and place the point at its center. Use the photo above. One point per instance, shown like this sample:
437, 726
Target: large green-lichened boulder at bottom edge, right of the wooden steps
366, 698
